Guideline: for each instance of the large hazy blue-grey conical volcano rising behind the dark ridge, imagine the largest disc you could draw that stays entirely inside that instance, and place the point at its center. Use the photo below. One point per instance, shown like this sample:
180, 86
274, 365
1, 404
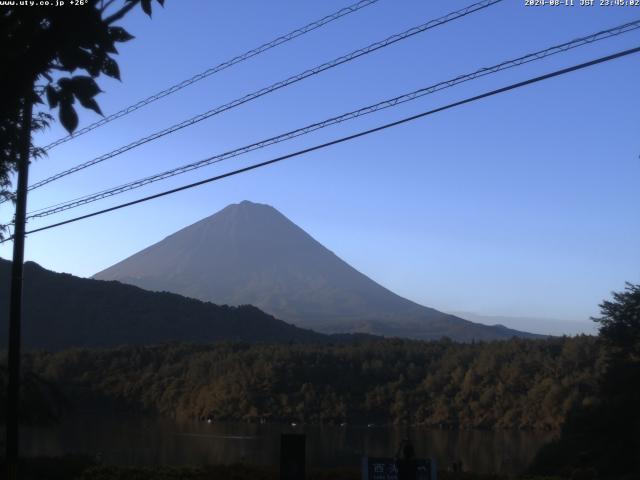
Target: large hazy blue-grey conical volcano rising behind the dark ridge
250, 253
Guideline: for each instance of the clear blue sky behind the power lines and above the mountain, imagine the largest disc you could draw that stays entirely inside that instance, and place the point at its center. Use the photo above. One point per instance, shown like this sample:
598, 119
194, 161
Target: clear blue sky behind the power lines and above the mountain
523, 204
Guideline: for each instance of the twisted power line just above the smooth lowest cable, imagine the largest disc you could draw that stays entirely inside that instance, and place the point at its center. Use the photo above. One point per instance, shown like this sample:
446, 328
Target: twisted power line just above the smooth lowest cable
611, 32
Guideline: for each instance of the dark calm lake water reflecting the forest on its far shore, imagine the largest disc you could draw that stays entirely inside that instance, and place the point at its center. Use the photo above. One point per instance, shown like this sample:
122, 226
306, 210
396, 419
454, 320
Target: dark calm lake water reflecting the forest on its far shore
153, 441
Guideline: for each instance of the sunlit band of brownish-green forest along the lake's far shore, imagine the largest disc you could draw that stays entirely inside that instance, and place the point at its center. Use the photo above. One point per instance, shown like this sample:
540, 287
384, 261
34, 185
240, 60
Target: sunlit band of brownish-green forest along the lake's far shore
524, 384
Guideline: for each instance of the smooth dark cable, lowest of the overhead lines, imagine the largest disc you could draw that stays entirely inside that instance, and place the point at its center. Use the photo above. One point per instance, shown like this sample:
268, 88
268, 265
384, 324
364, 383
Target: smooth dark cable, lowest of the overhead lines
344, 139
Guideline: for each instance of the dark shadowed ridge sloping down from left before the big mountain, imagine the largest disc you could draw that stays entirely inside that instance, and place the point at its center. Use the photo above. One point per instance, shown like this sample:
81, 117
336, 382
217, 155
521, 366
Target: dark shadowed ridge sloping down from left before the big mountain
61, 310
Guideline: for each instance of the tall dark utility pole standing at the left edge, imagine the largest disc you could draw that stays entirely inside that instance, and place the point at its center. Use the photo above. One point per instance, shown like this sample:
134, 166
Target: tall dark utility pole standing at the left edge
15, 305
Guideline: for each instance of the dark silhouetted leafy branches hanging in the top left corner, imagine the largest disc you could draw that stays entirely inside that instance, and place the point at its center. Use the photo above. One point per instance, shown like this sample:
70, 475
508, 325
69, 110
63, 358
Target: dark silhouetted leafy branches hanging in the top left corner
54, 54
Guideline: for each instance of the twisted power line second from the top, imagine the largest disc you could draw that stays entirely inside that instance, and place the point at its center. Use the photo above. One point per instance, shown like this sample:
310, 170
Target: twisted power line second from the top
276, 86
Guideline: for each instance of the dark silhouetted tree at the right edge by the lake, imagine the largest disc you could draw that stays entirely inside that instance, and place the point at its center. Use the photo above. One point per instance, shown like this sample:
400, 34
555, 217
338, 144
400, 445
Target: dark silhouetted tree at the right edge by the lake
603, 436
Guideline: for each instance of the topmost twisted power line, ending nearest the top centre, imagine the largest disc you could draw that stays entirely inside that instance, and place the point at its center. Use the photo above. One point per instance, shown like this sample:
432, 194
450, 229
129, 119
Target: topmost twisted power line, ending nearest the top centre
218, 68
